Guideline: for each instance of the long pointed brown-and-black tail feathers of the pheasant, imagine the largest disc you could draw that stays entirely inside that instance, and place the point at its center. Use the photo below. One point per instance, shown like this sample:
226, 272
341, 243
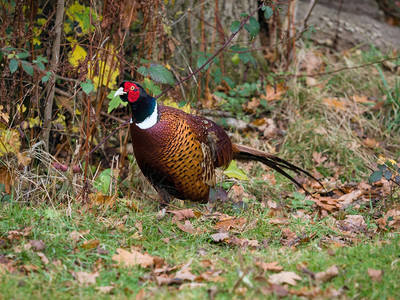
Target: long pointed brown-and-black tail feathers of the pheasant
278, 164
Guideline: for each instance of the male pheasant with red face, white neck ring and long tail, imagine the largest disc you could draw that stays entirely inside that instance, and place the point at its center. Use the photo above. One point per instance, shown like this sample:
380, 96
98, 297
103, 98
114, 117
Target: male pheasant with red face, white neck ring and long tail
179, 152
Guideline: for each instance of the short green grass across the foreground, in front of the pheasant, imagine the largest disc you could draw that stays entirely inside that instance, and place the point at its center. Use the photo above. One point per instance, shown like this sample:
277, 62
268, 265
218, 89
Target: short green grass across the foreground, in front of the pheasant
54, 226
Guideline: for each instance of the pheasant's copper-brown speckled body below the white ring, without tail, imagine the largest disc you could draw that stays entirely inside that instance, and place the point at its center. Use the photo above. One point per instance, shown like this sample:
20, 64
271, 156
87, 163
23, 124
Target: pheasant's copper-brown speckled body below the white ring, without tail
180, 153
